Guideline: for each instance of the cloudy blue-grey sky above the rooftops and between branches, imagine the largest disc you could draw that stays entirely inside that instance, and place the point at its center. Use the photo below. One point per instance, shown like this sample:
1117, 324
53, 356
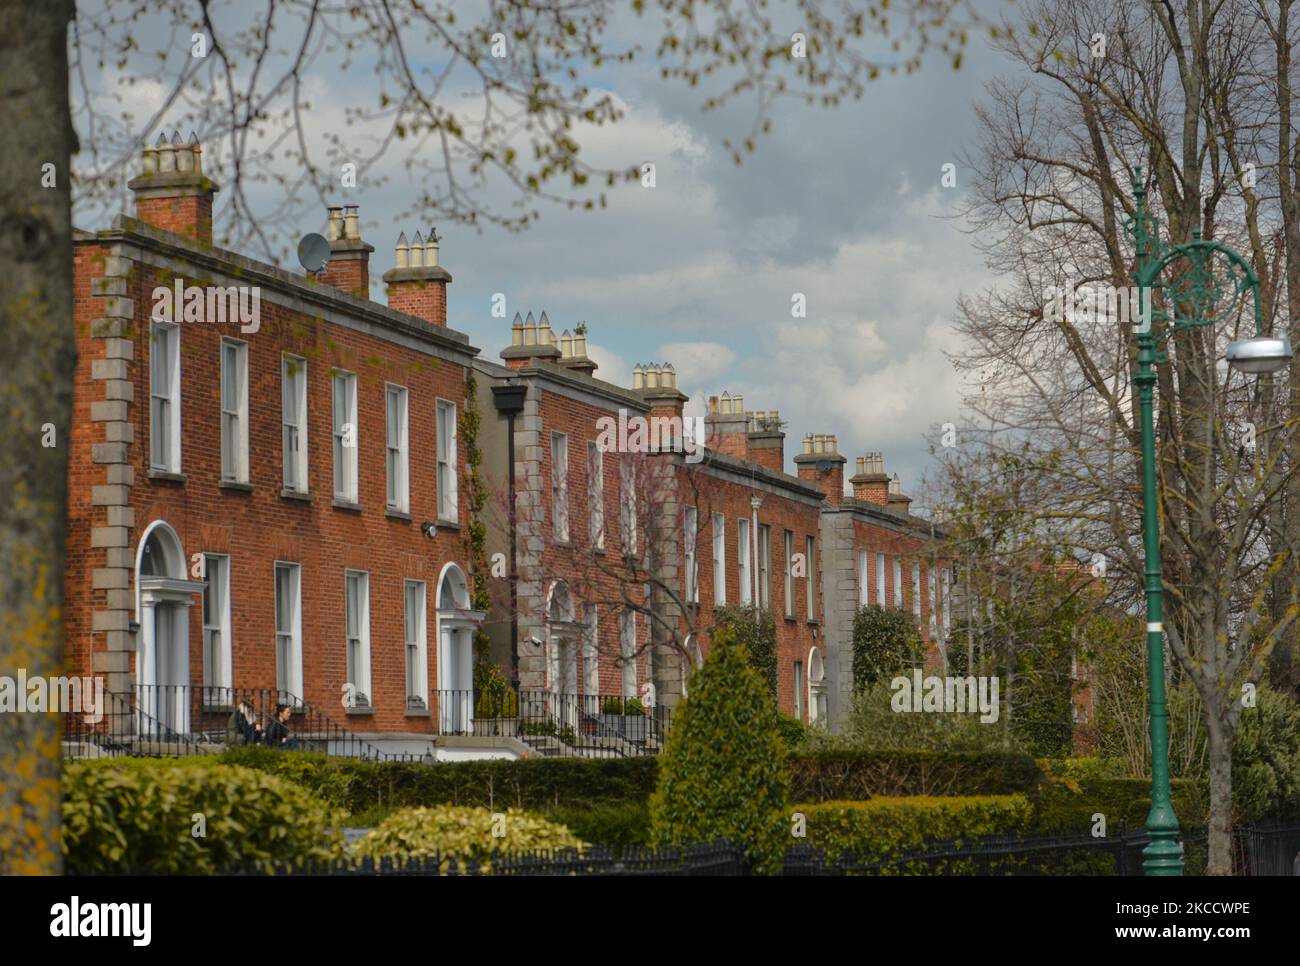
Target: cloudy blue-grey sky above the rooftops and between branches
844, 206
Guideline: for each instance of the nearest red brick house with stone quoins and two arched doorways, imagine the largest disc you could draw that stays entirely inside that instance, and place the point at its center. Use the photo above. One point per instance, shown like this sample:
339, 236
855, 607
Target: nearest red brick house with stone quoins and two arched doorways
265, 474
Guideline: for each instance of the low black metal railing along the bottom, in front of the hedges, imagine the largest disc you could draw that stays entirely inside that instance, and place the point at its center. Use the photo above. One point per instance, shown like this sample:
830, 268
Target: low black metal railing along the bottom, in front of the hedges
1263, 850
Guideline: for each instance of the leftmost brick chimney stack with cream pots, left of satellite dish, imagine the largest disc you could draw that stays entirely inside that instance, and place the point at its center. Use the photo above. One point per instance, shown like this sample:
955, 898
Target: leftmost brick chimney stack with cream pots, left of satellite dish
172, 192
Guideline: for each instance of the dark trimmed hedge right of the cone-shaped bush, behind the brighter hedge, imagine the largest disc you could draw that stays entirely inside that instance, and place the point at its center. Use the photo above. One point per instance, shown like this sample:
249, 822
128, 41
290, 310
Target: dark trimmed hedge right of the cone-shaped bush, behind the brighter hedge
835, 776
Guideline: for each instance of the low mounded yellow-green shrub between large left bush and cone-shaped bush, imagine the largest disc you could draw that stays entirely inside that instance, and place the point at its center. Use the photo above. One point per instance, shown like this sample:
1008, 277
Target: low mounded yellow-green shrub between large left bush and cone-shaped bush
462, 834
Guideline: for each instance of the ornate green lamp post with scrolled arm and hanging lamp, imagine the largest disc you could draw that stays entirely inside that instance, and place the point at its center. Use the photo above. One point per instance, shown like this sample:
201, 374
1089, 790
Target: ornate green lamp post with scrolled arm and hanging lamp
1191, 302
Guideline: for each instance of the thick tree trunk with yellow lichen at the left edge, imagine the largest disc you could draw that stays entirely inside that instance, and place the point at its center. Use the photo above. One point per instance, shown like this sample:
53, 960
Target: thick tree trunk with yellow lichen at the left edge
37, 328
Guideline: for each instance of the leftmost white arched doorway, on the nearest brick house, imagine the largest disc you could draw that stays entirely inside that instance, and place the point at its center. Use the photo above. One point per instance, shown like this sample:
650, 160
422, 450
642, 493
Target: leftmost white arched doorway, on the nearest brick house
163, 599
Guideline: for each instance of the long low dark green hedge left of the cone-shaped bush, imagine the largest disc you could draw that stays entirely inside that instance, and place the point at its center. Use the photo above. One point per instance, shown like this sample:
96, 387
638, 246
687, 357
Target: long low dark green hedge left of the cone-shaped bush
359, 787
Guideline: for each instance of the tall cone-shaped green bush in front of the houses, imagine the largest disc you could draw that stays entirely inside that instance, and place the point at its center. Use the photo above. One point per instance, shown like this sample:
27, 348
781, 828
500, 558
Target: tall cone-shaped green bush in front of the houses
723, 772
